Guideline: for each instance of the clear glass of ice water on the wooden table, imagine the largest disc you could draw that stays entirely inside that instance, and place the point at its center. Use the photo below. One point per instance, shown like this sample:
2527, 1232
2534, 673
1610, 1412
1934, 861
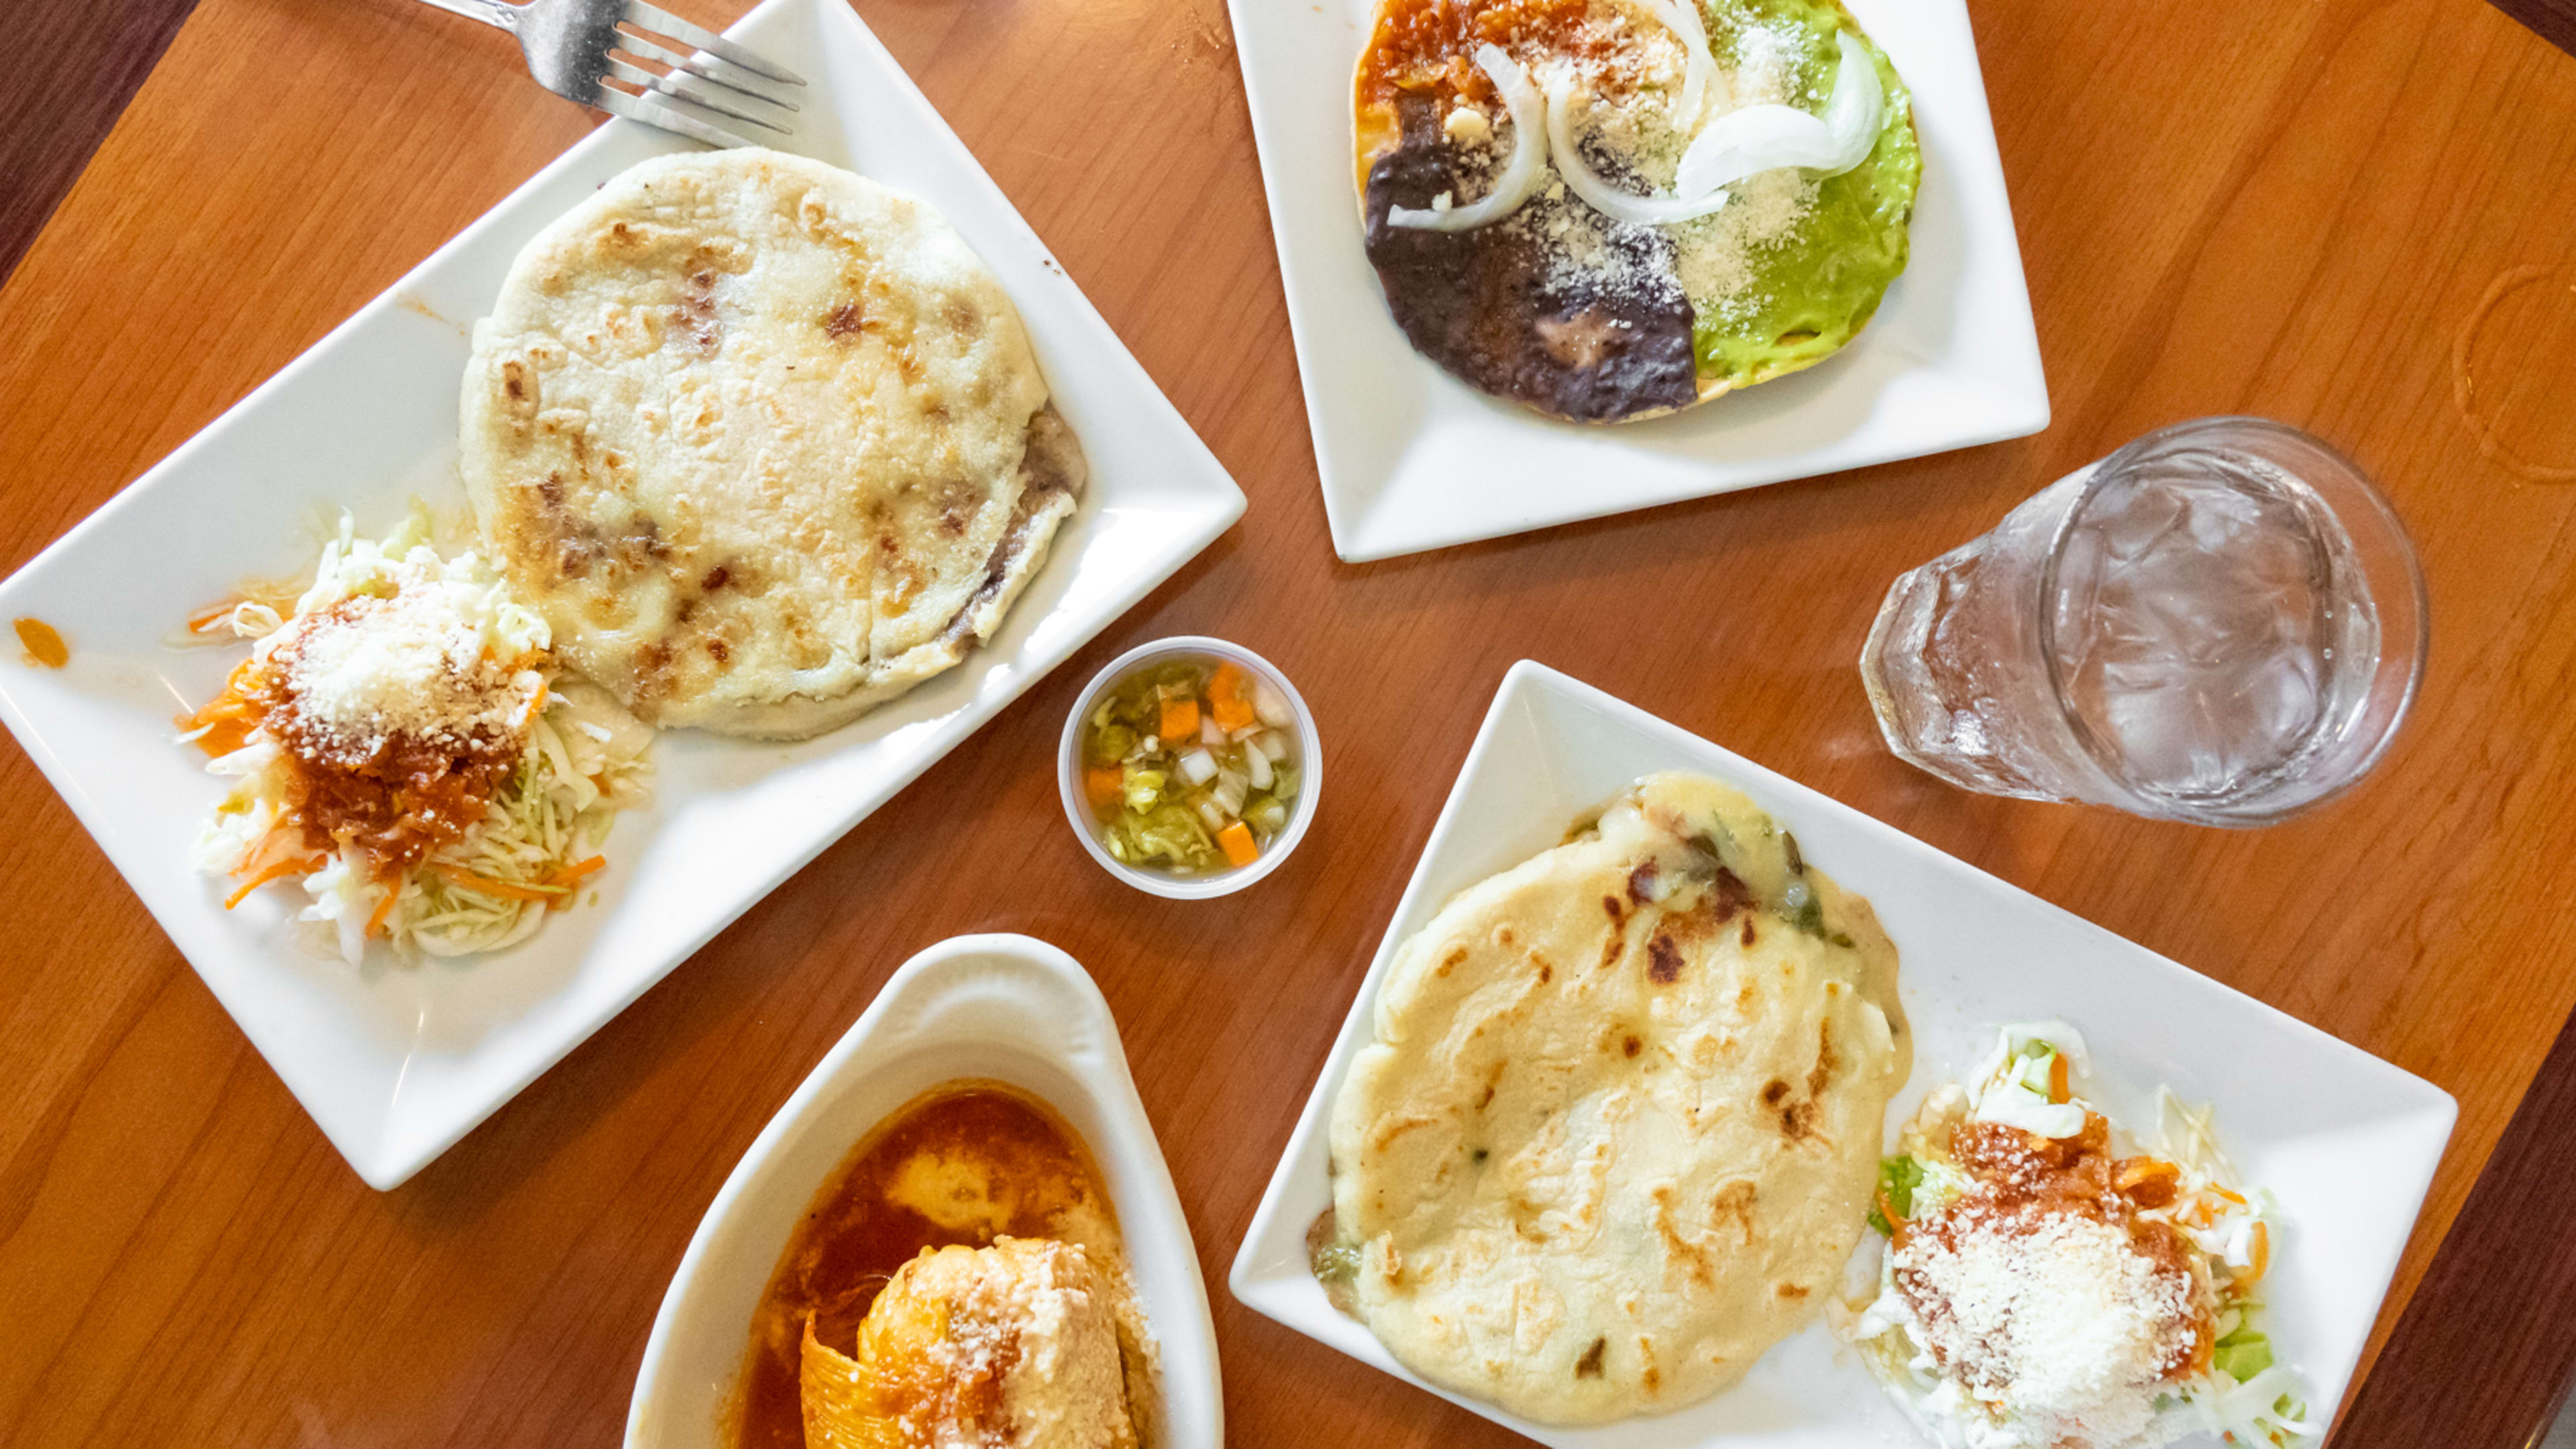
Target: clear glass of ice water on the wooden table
2222, 623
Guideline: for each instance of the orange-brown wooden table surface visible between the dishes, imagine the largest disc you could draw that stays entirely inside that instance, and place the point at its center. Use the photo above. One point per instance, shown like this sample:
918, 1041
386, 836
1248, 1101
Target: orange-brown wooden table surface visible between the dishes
2286, 210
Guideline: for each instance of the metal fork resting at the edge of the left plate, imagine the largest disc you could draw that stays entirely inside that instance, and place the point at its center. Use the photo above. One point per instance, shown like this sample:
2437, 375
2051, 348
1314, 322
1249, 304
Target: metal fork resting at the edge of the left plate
576, 50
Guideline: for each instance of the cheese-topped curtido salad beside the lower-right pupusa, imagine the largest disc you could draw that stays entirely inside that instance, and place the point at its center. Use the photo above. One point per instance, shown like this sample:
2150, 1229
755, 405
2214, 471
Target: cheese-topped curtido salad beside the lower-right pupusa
2049, 1283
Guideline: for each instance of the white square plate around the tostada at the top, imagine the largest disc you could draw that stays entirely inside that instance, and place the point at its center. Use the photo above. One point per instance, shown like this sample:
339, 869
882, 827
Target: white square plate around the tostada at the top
1418, 460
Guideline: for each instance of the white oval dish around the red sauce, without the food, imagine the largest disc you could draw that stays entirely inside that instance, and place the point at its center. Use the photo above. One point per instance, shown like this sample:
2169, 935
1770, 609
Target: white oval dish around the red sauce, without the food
975, 1007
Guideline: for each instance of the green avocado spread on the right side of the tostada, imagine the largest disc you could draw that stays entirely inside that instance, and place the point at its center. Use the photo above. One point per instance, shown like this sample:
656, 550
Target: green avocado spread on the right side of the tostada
1799, 262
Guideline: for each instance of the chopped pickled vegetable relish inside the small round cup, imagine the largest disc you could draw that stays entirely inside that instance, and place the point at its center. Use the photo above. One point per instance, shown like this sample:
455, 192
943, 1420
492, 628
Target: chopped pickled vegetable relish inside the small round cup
1191, 767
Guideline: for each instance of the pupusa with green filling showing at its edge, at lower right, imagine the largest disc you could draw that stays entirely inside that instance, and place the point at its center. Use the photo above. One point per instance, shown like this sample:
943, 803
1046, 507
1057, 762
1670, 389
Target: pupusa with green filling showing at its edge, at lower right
1619, 1125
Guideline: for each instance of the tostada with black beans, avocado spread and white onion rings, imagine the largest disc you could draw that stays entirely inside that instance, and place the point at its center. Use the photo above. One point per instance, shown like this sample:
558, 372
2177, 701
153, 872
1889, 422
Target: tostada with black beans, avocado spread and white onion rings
1611, 210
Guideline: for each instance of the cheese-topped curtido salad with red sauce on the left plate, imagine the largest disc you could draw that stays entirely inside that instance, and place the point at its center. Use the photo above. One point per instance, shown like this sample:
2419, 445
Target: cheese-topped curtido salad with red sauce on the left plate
408, 754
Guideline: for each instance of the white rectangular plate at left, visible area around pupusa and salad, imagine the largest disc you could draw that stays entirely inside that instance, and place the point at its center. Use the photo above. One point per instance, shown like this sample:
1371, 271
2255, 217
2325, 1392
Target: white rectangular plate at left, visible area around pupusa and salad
398, 1064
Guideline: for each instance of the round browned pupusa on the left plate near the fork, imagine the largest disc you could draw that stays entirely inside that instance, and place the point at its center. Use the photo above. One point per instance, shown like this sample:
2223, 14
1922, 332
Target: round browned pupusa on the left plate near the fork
761, 440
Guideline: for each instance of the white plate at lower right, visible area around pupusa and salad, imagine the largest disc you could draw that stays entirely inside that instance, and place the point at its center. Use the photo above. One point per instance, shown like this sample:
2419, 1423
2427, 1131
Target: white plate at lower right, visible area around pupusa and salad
2345, 1141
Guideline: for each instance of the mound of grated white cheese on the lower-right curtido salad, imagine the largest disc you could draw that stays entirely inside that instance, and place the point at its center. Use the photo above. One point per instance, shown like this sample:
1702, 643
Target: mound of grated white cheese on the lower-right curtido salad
2065, 1329
